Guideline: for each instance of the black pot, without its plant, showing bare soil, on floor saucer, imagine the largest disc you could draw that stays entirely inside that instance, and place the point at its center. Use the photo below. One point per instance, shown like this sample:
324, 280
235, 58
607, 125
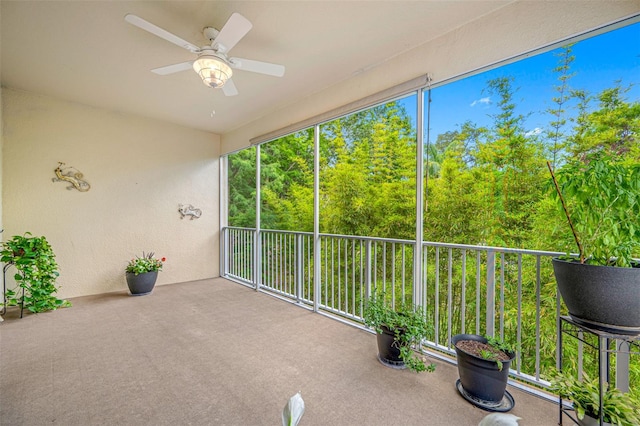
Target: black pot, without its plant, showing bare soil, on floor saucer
480, 378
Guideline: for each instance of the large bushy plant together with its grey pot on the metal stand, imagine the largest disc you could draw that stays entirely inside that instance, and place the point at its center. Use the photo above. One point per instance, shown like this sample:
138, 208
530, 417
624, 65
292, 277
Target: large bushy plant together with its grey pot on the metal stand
600, 286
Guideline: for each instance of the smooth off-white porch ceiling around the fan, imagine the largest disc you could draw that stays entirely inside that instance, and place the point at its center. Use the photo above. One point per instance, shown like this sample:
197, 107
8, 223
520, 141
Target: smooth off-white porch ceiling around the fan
85, 52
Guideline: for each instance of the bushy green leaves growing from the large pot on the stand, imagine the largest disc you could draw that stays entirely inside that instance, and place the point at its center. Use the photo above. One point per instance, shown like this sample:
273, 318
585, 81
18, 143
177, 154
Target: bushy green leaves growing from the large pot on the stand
602, 208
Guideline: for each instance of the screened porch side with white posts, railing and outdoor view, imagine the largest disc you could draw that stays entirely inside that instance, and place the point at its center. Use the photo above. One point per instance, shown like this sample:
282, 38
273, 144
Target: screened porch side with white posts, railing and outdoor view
446, 208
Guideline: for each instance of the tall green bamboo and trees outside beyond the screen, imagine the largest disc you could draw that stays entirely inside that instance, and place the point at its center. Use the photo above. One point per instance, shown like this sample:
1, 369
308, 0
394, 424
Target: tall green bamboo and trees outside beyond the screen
486, 185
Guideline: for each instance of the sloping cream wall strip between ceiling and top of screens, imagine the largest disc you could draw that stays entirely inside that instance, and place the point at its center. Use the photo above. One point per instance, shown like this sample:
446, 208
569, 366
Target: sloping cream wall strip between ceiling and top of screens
512, 30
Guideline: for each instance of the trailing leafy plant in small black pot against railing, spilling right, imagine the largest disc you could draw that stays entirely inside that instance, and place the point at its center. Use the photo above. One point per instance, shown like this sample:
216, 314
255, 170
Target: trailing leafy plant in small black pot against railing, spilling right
399, 327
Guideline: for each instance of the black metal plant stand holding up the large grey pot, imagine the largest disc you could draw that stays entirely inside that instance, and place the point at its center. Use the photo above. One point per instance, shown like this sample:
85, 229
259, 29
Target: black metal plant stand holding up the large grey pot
568, 326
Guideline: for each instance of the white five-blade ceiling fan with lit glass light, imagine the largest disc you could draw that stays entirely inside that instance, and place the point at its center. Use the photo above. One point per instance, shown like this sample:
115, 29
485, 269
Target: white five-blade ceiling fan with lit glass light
212, 63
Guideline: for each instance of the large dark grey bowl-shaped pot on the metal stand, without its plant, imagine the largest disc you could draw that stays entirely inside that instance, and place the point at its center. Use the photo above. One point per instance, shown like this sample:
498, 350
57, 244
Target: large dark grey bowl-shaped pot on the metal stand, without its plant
602, 297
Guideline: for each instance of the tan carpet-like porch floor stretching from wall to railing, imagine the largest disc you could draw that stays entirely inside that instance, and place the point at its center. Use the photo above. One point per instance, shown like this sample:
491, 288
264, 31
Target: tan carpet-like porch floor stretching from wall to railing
214, 352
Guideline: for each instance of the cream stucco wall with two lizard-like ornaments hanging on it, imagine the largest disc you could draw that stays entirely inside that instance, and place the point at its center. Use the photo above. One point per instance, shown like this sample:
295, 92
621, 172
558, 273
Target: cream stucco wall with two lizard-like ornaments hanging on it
139, 170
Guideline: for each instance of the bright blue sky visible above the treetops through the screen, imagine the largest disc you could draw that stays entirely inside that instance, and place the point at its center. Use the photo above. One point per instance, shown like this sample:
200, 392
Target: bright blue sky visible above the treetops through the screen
599, 62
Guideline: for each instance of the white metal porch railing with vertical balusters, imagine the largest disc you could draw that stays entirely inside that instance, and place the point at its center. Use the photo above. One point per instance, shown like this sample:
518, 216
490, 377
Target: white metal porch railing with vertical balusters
510, 293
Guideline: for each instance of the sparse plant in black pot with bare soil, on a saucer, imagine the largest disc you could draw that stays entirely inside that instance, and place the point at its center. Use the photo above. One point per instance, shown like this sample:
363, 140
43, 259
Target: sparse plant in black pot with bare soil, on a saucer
483, 368
